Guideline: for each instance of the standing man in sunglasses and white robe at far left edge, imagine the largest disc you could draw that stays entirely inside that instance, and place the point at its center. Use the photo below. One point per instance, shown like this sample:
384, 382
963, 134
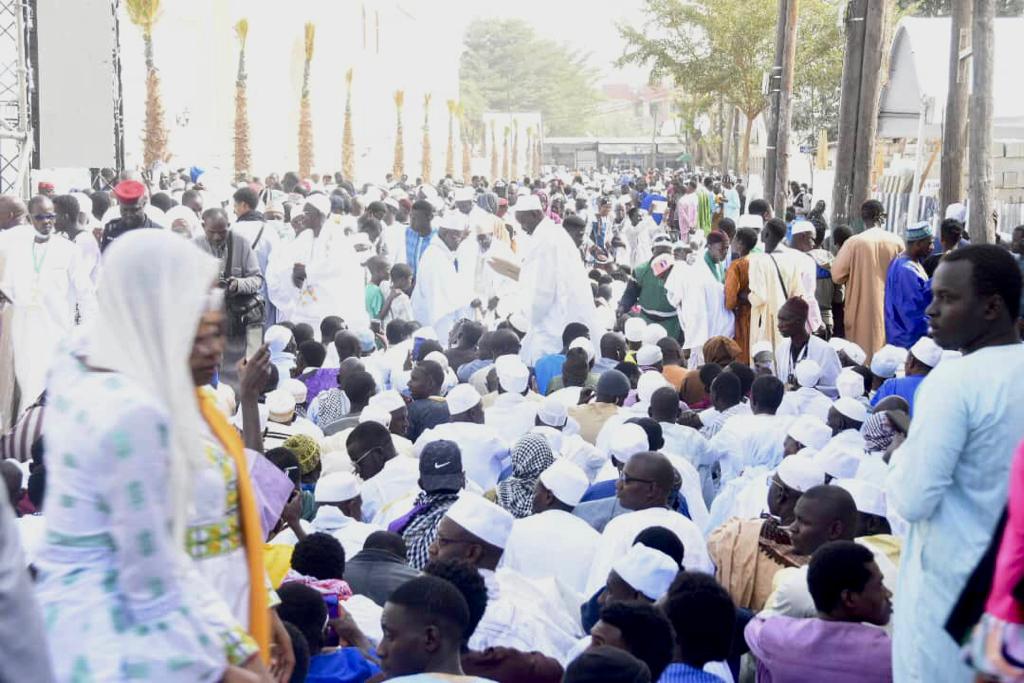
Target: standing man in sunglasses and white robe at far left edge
49, 285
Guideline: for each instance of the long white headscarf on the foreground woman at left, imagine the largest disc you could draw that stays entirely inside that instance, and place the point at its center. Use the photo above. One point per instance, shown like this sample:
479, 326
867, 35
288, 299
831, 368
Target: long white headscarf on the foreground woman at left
152, 292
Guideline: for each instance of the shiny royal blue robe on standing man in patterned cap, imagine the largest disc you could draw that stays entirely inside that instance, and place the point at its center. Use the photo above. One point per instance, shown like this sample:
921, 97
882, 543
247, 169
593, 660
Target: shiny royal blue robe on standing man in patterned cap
909, 293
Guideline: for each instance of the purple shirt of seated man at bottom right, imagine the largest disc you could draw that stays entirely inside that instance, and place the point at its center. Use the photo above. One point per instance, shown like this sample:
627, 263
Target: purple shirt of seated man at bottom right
796, 651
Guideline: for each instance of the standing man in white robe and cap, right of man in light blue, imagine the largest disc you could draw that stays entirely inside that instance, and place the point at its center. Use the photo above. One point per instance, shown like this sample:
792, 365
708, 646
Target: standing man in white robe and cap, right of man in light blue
441, 296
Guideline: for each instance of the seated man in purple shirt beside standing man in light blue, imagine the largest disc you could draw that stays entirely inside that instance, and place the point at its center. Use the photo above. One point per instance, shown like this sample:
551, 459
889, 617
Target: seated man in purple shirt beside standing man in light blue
852, 603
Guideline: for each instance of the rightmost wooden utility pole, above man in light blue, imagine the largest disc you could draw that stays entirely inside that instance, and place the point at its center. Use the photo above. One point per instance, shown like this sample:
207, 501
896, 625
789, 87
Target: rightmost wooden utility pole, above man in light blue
979, 222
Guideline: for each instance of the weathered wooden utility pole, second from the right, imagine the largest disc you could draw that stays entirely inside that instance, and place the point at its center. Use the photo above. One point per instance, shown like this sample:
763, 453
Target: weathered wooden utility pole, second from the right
955, 124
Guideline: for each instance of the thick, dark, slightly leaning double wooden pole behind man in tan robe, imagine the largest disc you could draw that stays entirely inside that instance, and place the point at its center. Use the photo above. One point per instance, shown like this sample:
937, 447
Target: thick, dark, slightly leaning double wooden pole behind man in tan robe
859, 118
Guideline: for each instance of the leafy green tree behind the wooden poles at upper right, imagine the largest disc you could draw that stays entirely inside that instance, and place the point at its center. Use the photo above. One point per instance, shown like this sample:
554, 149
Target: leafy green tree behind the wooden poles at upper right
726, 48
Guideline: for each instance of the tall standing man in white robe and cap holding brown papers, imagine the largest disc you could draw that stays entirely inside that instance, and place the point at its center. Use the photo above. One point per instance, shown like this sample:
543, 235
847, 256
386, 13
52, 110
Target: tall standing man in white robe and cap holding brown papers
556, 289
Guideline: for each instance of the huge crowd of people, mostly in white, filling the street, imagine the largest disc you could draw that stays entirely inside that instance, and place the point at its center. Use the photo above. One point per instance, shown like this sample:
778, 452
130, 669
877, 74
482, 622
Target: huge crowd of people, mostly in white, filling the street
617, 428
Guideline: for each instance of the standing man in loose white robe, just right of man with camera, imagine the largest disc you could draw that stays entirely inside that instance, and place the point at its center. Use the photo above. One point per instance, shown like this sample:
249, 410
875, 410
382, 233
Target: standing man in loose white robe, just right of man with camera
318, 274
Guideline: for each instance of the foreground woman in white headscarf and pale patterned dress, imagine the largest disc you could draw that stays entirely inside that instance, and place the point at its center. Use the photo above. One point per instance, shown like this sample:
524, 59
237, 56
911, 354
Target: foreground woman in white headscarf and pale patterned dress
120, 596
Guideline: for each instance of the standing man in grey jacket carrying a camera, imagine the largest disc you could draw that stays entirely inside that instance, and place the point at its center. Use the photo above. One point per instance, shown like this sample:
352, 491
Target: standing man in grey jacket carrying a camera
242, 281
